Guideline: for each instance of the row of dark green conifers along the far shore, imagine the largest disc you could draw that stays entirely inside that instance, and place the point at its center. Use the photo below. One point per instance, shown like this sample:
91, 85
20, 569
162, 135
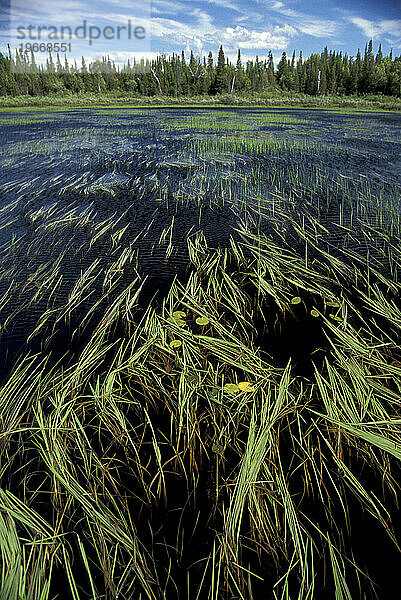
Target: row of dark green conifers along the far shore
319, 74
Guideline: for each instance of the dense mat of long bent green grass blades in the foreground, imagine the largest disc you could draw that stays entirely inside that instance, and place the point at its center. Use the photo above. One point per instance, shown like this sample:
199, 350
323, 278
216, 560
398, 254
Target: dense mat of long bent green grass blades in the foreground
212, 472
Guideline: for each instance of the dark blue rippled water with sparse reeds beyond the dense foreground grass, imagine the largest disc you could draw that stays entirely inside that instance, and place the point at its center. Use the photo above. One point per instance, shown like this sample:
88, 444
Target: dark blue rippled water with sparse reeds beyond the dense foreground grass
63, 174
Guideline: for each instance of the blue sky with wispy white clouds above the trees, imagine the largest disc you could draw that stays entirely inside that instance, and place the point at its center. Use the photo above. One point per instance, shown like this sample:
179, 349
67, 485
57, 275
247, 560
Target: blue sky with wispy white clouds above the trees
254, 26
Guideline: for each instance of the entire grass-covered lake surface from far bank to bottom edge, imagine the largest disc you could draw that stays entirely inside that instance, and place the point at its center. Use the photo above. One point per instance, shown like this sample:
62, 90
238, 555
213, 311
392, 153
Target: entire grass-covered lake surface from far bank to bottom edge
132, 463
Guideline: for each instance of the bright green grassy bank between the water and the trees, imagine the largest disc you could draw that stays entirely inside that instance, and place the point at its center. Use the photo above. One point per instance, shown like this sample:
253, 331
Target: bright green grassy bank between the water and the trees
77, 101
